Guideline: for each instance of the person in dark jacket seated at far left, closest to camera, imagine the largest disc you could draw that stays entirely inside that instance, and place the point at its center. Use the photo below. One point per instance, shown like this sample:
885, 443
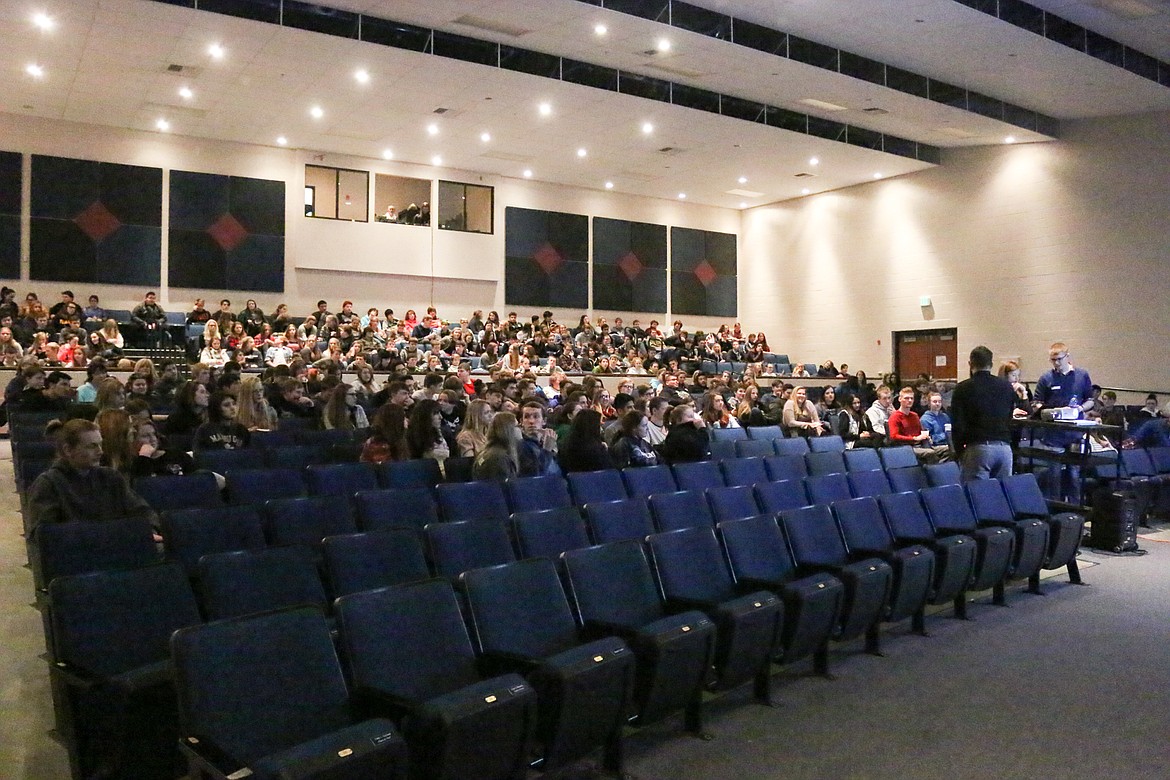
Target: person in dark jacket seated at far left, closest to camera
77, 488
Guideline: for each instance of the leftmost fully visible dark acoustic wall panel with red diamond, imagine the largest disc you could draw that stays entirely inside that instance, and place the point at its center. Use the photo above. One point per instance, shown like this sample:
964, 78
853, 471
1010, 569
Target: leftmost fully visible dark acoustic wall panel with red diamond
95, 223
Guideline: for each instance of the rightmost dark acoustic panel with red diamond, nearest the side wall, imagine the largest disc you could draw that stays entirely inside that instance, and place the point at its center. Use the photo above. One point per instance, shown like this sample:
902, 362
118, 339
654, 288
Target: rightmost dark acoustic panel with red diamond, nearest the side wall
704, 273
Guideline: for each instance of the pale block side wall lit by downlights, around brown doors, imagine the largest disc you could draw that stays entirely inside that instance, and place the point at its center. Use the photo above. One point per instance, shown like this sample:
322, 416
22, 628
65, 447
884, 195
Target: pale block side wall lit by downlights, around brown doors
1017, 247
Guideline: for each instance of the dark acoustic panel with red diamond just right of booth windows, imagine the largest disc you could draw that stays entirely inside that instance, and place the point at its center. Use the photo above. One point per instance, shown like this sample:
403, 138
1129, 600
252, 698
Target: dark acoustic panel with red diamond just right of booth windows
546, 259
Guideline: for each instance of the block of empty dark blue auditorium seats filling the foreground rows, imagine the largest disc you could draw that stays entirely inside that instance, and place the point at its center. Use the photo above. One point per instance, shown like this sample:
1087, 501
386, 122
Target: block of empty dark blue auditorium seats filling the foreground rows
707, 576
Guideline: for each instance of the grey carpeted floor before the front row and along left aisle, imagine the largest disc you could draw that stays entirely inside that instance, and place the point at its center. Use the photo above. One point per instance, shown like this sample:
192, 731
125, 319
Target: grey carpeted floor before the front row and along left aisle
1076, 684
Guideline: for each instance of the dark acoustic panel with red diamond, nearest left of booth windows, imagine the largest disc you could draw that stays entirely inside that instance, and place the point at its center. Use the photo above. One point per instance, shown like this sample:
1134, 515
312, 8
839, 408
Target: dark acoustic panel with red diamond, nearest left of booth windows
226, 233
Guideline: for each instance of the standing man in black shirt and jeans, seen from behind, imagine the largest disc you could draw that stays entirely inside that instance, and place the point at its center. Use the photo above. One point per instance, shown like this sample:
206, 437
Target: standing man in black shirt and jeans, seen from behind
981, 410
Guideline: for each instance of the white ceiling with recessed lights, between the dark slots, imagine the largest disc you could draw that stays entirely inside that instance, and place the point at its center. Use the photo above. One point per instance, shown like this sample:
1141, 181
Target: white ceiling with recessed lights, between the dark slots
106, 64
